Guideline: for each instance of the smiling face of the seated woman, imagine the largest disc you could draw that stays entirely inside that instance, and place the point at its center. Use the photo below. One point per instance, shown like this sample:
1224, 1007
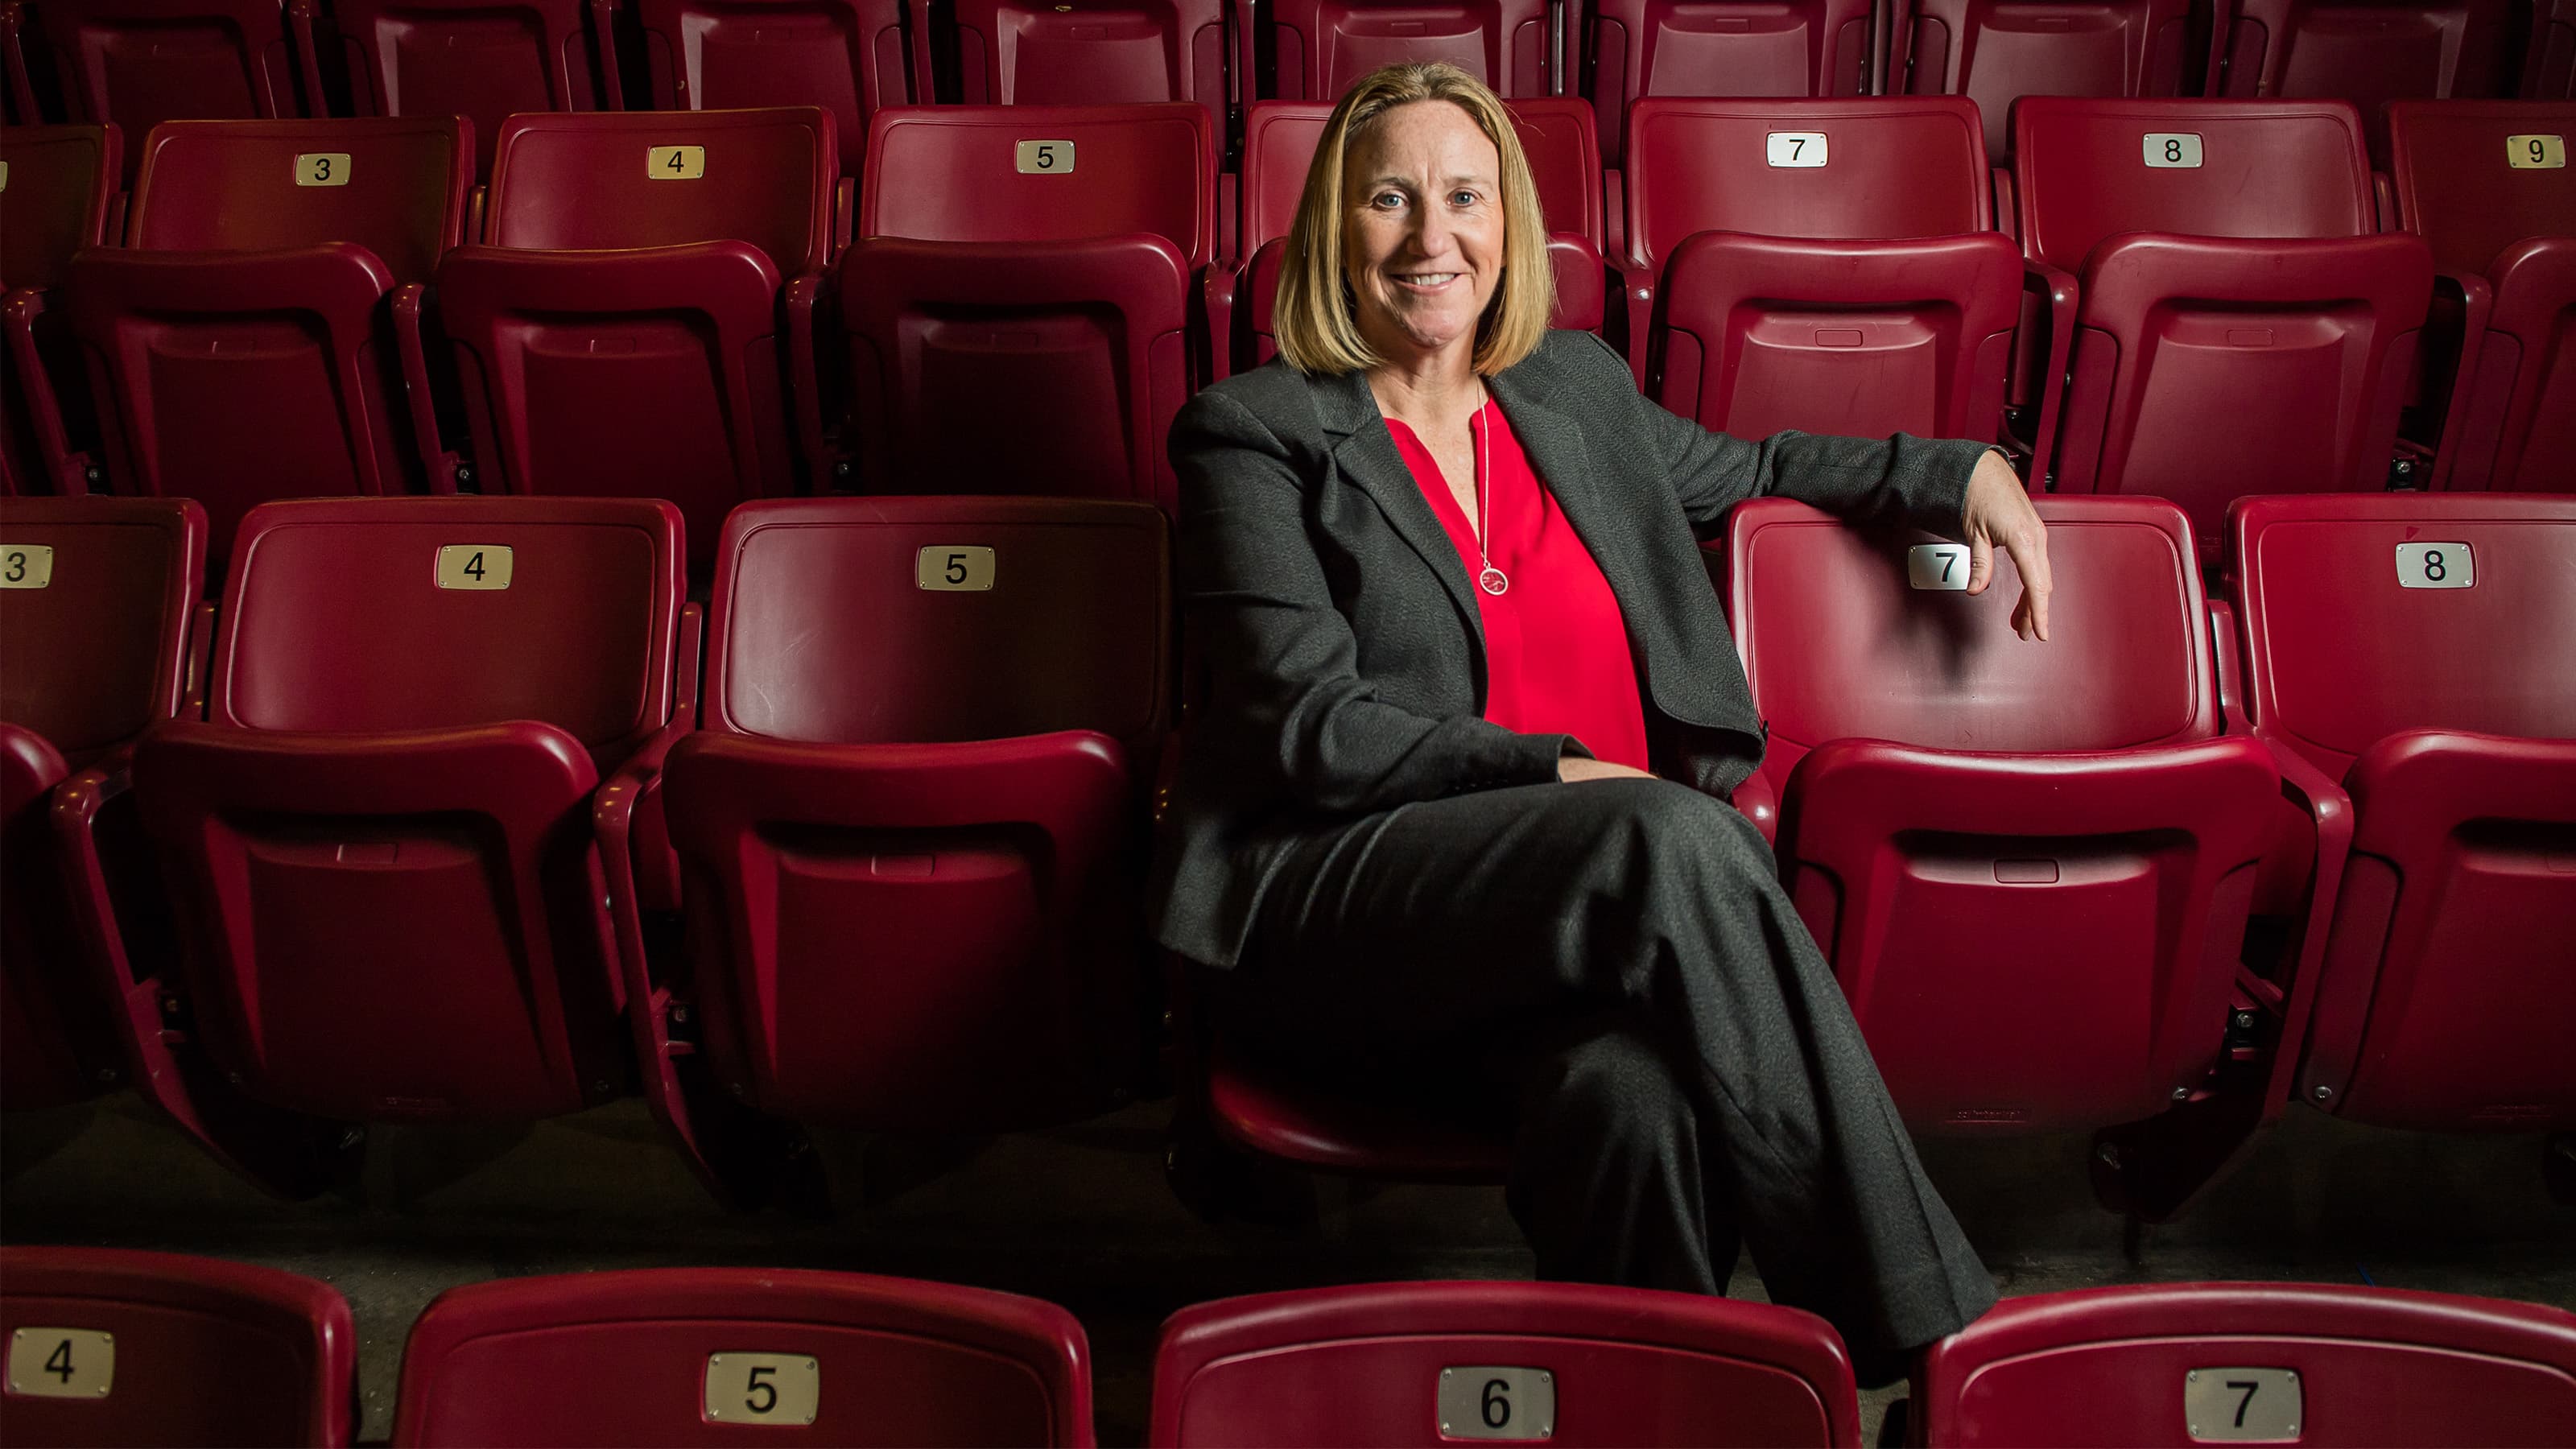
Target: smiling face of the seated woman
1421, 228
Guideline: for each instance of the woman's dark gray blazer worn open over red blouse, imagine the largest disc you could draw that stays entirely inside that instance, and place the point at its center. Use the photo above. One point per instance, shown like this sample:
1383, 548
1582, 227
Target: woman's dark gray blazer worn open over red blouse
1338, 636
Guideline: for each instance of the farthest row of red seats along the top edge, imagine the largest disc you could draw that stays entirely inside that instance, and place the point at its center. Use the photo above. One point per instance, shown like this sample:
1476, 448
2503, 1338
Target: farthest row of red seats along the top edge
140, 63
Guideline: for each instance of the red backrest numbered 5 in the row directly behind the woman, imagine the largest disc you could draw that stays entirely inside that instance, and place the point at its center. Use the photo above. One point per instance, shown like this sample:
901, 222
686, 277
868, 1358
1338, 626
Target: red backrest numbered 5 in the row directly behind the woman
949, 174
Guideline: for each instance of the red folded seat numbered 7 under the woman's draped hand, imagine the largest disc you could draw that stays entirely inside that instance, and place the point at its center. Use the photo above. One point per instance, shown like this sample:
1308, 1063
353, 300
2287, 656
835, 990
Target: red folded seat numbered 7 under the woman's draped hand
2029, 865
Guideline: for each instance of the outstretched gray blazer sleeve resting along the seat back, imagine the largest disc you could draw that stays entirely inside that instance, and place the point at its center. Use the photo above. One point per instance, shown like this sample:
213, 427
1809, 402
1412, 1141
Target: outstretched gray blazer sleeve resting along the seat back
1869, 481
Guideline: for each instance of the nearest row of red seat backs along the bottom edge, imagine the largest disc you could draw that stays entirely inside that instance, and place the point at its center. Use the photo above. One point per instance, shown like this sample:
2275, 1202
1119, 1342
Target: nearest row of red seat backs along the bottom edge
115, 1347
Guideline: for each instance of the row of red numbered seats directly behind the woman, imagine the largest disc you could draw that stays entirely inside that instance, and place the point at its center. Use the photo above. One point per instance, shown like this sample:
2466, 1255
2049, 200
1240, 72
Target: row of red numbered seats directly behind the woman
697, 311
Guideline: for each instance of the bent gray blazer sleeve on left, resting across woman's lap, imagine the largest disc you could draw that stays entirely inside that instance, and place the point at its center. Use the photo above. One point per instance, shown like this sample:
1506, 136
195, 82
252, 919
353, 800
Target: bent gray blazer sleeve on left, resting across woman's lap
1284, 661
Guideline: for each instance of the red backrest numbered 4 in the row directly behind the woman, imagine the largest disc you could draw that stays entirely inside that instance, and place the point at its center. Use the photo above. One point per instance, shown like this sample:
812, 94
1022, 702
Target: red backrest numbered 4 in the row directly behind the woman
594, 182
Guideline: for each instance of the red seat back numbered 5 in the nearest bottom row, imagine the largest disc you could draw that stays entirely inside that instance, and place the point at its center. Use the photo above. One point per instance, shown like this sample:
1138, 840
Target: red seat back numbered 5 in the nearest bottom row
743, 1357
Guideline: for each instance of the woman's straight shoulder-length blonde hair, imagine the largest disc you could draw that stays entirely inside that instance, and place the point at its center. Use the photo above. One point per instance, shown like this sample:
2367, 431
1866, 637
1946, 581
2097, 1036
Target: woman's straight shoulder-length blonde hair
1315, 316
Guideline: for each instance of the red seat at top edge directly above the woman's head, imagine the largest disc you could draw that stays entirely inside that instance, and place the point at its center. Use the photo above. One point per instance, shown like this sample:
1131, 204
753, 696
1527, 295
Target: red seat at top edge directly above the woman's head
1320, 48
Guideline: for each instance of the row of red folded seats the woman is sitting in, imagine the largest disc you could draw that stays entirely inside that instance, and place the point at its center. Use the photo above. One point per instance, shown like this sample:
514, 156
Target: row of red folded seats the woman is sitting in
437, 777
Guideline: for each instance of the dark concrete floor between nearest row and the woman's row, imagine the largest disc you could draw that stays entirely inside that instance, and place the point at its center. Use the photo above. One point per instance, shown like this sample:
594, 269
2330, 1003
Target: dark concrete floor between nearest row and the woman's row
1083, 1218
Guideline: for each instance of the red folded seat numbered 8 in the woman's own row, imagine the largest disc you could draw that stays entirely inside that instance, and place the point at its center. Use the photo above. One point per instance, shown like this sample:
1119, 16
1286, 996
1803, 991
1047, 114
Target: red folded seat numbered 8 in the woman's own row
2410, 659
